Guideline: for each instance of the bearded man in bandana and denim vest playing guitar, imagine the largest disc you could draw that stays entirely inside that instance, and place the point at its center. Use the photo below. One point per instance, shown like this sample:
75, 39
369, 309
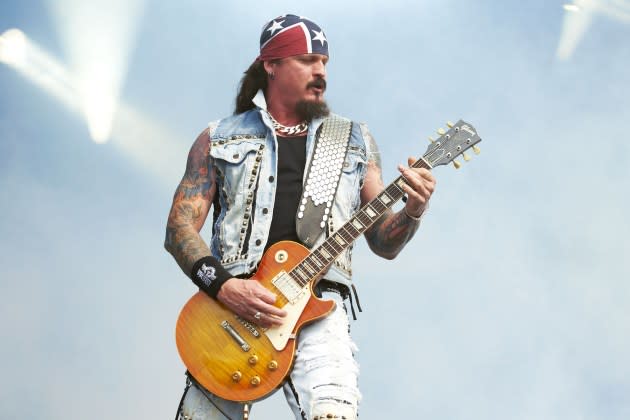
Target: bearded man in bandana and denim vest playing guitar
251, 168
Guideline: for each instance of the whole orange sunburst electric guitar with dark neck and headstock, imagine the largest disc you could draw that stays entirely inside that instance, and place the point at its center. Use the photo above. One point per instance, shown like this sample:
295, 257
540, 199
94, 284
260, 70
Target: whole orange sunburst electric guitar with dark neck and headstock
240, 361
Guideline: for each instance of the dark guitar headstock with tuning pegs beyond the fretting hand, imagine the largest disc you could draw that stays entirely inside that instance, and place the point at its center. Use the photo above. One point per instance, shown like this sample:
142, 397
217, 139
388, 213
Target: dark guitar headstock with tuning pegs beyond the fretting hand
460, 137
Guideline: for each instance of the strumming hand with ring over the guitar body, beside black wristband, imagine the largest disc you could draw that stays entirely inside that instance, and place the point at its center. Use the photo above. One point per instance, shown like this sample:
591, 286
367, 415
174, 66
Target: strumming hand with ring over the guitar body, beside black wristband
251, 301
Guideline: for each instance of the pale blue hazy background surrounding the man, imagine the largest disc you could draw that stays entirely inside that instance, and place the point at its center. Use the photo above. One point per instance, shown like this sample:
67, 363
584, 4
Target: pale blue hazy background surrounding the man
512, 302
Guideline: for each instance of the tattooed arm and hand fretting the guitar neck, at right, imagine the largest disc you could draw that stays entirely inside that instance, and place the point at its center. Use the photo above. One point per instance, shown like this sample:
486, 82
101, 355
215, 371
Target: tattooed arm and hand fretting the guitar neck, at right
388, 235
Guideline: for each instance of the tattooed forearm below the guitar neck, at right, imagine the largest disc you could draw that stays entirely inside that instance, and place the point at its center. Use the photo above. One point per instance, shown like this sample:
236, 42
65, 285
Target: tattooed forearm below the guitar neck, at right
388, 236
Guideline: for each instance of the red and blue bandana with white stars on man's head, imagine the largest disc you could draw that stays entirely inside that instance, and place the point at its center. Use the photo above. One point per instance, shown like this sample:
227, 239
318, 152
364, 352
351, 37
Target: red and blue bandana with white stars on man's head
290, 35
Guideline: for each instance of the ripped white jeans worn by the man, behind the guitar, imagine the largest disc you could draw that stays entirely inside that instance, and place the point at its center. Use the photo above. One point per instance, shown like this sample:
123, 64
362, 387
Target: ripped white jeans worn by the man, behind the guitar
322, 385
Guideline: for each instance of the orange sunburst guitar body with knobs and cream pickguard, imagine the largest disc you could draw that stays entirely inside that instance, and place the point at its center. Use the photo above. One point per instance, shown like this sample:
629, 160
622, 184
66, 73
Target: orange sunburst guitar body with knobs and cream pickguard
237, 360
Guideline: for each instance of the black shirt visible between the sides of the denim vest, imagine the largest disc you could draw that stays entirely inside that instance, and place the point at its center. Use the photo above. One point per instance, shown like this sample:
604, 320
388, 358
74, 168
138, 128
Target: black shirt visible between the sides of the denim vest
291, 163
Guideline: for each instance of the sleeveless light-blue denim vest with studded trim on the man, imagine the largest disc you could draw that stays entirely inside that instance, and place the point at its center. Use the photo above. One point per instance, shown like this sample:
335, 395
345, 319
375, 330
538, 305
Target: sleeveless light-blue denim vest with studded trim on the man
243, 151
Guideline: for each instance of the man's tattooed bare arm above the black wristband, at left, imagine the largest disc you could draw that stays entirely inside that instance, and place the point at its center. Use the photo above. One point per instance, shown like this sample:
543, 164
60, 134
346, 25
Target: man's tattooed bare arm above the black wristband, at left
191, 204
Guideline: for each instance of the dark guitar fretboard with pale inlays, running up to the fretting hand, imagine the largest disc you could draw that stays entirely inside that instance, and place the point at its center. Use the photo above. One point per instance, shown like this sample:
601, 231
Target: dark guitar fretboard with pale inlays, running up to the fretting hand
323, 255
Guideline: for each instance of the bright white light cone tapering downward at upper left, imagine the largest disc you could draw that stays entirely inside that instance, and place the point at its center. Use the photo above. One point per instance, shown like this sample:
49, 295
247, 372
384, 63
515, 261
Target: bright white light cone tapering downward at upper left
98, 38
